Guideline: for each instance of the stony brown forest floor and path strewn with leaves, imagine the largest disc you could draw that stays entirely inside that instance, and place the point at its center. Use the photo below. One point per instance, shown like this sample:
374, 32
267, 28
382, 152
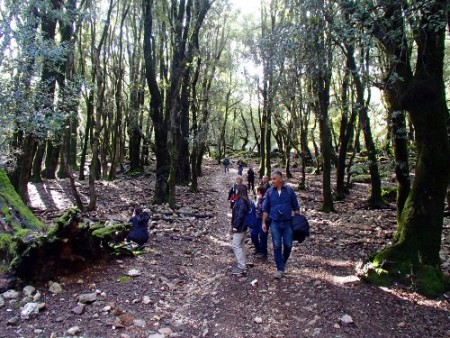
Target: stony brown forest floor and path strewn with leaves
182, 285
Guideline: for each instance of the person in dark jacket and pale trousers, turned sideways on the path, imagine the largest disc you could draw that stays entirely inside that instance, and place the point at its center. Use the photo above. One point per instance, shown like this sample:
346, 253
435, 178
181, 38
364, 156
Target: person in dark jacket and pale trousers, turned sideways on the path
239, 229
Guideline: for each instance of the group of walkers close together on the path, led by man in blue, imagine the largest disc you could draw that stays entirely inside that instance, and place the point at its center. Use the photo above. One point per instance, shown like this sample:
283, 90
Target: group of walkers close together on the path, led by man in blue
276, 205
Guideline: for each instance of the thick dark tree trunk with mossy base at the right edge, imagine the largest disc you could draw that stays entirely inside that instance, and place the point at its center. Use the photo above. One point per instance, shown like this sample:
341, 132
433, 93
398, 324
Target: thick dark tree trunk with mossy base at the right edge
417, 241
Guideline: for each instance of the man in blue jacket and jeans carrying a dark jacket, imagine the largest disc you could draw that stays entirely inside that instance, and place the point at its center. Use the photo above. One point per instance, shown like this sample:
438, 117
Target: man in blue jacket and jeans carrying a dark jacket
279, 204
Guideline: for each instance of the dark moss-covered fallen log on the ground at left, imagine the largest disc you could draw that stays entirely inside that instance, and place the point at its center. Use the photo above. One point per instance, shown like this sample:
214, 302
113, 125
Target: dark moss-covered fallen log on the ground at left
68, 246
